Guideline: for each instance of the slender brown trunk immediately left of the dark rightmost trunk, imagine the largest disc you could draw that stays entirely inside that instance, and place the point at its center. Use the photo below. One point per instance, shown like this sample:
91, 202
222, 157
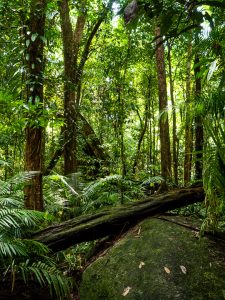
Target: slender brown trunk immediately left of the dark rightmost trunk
188, 124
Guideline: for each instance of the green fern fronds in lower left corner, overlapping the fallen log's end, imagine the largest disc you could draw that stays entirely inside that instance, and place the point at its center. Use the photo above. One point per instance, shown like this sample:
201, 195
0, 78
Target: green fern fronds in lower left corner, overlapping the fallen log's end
21, 257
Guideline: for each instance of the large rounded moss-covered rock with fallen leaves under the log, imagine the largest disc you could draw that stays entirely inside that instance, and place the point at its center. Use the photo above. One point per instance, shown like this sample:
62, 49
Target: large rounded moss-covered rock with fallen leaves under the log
161, 260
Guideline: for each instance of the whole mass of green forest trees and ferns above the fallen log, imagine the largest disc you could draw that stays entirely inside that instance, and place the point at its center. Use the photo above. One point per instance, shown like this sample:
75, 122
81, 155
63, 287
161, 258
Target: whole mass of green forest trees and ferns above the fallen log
97, 99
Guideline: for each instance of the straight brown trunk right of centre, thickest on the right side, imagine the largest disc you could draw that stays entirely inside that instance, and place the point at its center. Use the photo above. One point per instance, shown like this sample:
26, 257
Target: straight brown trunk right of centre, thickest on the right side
163, 122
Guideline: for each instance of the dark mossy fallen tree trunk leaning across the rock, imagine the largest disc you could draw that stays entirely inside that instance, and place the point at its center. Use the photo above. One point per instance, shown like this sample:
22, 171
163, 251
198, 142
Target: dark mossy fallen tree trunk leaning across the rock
115, 220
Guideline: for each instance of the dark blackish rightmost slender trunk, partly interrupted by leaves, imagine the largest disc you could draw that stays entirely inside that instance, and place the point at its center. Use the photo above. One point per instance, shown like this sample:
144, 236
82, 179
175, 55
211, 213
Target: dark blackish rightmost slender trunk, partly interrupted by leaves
199, 138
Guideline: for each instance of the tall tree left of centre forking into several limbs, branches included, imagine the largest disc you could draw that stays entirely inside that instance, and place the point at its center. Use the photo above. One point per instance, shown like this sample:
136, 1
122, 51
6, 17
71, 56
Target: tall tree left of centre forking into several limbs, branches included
73, 70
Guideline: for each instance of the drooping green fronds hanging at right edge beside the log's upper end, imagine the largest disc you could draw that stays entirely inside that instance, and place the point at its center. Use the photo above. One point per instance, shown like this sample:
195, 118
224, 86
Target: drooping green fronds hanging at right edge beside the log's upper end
214, 169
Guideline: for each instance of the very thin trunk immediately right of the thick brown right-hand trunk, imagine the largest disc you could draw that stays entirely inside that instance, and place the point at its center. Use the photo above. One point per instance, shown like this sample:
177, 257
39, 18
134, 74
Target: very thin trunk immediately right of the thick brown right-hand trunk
175, 153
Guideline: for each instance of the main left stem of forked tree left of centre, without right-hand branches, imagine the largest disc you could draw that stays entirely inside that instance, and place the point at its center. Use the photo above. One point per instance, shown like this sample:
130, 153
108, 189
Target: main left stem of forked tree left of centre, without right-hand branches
70, 115
